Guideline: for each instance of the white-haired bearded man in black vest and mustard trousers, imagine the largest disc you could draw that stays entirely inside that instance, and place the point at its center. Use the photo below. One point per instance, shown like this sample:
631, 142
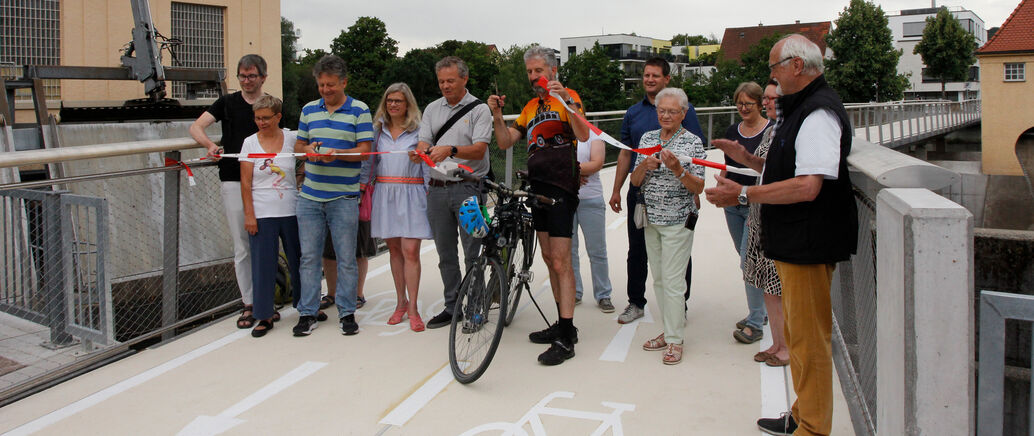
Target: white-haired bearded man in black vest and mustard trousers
809, 223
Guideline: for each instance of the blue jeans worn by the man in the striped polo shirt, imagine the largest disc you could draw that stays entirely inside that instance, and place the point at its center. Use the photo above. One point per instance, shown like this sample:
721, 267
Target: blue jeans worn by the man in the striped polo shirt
342, 217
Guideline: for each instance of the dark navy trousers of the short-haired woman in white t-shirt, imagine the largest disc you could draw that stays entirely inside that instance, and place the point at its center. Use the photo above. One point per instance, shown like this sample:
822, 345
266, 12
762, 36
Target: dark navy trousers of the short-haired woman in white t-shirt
265, 252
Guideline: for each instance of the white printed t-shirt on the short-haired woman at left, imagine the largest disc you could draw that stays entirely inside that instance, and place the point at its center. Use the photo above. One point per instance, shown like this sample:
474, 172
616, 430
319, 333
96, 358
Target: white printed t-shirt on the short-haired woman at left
275, 190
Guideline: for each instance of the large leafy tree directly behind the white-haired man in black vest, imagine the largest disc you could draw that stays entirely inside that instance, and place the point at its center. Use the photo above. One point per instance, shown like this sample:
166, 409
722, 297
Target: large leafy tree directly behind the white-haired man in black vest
865, 68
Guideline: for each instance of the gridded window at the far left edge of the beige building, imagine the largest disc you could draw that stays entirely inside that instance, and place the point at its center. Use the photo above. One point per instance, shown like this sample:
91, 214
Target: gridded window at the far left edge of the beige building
31, 36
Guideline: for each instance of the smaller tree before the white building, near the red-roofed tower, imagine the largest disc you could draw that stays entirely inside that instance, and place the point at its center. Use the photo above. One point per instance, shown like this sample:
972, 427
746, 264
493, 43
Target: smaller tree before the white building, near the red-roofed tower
947, 49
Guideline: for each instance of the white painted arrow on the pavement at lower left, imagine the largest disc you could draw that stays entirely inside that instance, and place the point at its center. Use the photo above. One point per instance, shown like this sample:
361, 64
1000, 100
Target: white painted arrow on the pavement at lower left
207, 426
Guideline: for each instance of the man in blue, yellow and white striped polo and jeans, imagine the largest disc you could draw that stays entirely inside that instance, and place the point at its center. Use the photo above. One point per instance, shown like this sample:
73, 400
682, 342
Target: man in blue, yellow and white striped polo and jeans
333, 124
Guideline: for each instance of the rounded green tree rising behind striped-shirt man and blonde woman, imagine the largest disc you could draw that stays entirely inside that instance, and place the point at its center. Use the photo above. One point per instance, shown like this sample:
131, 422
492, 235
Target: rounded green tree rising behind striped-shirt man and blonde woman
369, 51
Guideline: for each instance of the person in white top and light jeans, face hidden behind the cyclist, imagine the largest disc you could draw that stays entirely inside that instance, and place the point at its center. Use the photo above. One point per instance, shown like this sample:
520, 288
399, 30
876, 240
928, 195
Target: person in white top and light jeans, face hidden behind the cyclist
591, 216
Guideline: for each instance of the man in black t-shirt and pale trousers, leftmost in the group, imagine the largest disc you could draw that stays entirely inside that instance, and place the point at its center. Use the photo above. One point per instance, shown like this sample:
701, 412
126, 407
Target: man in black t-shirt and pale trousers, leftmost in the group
234, 112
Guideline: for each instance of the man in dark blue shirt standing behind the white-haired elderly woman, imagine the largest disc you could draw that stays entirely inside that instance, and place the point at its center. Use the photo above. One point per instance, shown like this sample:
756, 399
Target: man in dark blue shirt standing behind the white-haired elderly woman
638, 120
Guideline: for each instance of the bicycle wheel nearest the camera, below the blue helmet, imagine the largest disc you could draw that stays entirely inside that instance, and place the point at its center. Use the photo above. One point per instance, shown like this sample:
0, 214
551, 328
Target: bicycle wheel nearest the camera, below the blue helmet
477, 326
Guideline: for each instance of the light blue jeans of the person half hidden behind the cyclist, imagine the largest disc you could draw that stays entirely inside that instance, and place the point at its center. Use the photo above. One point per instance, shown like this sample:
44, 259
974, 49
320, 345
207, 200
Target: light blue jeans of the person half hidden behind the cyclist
591, 216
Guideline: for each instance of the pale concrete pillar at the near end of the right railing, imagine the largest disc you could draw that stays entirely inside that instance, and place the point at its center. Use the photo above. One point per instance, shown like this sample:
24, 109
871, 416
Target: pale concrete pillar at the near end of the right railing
925, 318
